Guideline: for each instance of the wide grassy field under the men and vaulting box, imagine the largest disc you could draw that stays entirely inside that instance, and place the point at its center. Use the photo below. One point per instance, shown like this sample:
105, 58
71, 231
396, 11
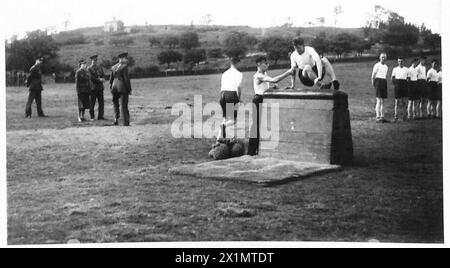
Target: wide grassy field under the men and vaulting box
97, 183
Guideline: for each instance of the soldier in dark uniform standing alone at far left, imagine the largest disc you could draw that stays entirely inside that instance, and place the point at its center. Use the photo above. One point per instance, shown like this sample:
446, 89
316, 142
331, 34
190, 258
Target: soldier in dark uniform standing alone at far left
34, 83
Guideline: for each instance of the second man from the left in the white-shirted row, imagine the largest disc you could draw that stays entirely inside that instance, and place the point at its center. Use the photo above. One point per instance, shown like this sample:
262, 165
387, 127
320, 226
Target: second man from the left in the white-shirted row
400, 80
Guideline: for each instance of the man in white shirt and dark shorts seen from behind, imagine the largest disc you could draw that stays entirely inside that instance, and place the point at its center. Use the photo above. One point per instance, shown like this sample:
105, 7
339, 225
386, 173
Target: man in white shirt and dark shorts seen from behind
230, 94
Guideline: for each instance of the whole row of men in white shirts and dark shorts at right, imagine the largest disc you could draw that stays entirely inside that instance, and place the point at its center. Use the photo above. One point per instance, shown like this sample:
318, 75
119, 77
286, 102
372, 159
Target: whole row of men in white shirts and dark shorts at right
415, 89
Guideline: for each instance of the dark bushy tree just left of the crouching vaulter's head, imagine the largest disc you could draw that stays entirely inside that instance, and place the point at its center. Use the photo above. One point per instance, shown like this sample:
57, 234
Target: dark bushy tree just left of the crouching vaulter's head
276, 47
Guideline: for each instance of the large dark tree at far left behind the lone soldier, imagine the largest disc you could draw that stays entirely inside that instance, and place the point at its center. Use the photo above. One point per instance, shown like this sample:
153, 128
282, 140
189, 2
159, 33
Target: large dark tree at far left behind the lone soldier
22, 54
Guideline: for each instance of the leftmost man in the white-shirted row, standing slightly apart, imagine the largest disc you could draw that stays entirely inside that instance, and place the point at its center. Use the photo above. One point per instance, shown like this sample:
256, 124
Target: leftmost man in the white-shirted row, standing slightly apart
379, 82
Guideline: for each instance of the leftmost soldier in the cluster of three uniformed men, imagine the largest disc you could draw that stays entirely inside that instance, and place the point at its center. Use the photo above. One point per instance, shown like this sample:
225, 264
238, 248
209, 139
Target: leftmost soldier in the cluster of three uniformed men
83, 86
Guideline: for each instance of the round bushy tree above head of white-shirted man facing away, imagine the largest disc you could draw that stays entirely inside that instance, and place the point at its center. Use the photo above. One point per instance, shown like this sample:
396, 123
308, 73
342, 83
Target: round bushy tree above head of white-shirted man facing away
236, 44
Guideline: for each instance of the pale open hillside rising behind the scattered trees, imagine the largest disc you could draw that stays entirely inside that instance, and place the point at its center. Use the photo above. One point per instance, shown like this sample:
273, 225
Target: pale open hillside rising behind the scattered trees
87, 41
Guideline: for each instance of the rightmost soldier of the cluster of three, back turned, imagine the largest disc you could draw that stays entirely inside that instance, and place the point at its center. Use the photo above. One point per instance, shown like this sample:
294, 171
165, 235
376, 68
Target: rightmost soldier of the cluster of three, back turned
120, 88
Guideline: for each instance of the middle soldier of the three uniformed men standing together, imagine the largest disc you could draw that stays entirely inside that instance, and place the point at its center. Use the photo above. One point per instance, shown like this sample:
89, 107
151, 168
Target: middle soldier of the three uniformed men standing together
97, 79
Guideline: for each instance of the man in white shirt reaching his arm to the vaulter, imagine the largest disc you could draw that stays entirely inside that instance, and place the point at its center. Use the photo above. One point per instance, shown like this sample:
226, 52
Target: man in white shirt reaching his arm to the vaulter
261, 83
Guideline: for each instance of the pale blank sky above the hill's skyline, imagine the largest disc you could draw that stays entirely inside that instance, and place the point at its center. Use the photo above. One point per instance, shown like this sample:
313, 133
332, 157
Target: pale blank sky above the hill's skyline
20, 16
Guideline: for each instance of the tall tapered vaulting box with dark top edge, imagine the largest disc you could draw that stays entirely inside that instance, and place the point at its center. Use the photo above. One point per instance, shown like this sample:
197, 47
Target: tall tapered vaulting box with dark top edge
313, 127
